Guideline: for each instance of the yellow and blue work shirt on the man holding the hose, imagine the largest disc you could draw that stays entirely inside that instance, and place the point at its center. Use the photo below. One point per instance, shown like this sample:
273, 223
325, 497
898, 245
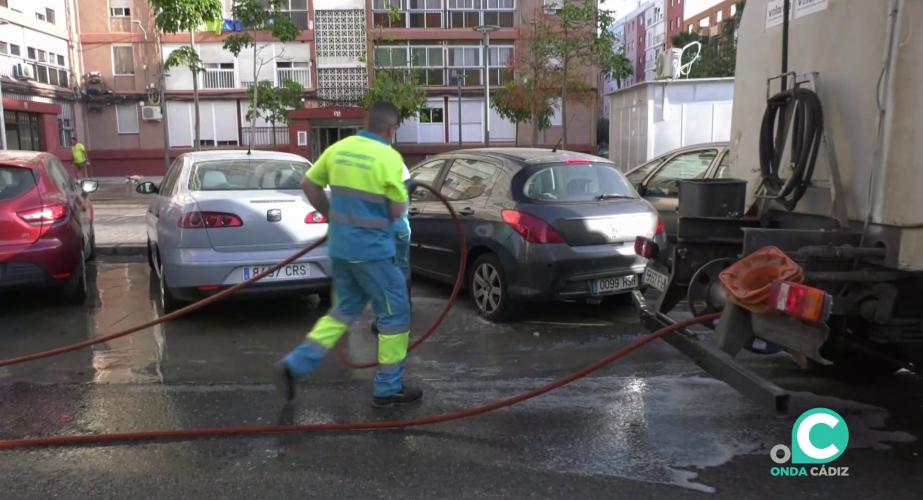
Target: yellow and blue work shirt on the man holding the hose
365, 175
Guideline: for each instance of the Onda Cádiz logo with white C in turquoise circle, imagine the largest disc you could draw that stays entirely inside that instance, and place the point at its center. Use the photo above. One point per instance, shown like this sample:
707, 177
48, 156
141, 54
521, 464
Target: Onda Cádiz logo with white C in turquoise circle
819, 437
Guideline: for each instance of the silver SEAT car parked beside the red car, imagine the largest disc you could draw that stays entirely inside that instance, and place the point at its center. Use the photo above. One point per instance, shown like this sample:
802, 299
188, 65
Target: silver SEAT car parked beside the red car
222, 217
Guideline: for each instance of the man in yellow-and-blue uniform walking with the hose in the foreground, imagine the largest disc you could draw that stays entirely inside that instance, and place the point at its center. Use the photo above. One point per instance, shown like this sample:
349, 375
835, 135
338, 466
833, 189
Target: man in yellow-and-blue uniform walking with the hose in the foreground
367, 195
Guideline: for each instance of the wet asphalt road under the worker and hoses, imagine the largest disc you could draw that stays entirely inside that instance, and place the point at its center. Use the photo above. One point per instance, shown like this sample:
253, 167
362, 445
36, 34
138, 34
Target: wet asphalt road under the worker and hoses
653, 425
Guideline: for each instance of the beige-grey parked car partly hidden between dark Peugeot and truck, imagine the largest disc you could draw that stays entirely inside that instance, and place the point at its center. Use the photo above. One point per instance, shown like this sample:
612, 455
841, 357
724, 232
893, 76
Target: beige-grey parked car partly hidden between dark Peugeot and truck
658, 179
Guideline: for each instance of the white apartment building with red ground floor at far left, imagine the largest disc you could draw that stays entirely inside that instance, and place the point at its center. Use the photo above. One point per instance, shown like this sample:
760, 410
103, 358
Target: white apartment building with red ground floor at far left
37, 74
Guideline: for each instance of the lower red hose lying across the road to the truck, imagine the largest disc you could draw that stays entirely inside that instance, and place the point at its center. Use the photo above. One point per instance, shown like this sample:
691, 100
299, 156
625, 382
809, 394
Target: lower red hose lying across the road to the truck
177, 434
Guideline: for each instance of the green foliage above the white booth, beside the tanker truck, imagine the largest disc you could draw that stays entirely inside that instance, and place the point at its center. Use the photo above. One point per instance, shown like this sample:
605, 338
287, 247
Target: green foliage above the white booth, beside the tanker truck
719, 54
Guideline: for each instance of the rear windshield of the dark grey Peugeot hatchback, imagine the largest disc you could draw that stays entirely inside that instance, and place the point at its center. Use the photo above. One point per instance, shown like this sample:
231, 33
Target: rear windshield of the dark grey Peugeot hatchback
575, 183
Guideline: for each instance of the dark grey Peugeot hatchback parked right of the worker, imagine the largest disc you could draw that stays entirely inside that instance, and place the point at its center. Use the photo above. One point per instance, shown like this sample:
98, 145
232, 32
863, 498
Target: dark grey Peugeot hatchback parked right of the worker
539, 225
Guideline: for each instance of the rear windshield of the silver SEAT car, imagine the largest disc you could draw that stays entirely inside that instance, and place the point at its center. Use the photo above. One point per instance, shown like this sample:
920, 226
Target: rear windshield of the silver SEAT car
246, 175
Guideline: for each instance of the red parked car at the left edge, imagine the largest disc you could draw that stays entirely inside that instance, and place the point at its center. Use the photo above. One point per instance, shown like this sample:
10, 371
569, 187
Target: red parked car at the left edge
46, 224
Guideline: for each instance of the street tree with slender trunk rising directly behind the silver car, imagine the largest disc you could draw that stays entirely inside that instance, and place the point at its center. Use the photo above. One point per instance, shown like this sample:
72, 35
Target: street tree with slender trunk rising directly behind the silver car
259, 15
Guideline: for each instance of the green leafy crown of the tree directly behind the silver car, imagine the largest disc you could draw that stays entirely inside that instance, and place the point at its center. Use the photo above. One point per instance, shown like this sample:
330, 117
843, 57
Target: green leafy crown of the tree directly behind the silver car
254, 16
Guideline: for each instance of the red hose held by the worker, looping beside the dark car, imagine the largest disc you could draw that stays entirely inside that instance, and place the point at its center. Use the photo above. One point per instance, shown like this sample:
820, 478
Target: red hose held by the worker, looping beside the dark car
229, 291
